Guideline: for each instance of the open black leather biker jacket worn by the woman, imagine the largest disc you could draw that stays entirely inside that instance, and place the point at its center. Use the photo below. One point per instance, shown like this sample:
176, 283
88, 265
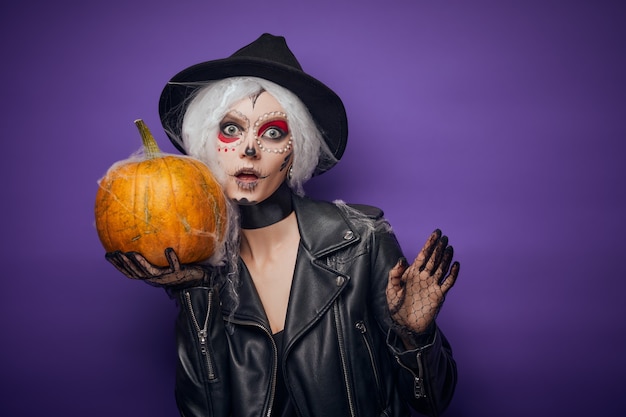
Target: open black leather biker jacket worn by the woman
340, 356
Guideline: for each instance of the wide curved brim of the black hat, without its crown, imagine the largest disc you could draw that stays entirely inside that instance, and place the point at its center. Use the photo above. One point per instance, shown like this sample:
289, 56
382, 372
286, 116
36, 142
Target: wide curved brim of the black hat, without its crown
325, 106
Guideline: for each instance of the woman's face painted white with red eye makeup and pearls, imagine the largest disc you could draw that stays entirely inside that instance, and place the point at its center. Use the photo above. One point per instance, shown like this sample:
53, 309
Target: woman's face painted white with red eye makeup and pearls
254, 148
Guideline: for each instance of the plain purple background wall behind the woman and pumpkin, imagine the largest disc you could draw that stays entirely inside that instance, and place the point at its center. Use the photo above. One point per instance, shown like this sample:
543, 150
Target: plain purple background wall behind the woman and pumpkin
503, 123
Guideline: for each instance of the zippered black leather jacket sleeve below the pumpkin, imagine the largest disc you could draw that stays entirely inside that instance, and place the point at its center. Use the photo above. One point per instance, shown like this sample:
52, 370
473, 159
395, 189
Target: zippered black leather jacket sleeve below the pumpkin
202, 373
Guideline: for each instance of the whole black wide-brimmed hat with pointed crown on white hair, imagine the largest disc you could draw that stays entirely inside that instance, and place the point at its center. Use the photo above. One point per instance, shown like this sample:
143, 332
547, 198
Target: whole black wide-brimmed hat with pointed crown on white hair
269, 58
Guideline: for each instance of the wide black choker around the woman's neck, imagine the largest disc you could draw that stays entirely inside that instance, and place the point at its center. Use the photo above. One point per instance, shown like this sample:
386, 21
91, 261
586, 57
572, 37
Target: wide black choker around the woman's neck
269, 211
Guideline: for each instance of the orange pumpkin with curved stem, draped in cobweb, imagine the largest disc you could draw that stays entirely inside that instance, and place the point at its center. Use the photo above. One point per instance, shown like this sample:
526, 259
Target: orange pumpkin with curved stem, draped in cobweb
160, 201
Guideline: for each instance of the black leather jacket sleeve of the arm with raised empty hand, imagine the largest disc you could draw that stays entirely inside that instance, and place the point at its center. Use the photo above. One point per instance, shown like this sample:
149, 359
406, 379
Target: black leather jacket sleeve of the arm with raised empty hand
426, 376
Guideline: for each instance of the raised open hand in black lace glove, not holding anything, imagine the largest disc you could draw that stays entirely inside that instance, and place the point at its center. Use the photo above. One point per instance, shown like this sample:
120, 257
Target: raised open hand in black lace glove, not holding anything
415, 293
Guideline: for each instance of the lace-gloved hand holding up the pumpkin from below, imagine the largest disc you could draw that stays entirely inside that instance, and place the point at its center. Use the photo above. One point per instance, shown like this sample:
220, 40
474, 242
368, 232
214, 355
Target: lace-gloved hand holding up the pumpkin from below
135, 266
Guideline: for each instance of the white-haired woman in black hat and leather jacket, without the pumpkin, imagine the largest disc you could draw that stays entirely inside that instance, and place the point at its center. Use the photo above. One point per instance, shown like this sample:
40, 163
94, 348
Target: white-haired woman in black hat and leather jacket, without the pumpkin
315, 312
